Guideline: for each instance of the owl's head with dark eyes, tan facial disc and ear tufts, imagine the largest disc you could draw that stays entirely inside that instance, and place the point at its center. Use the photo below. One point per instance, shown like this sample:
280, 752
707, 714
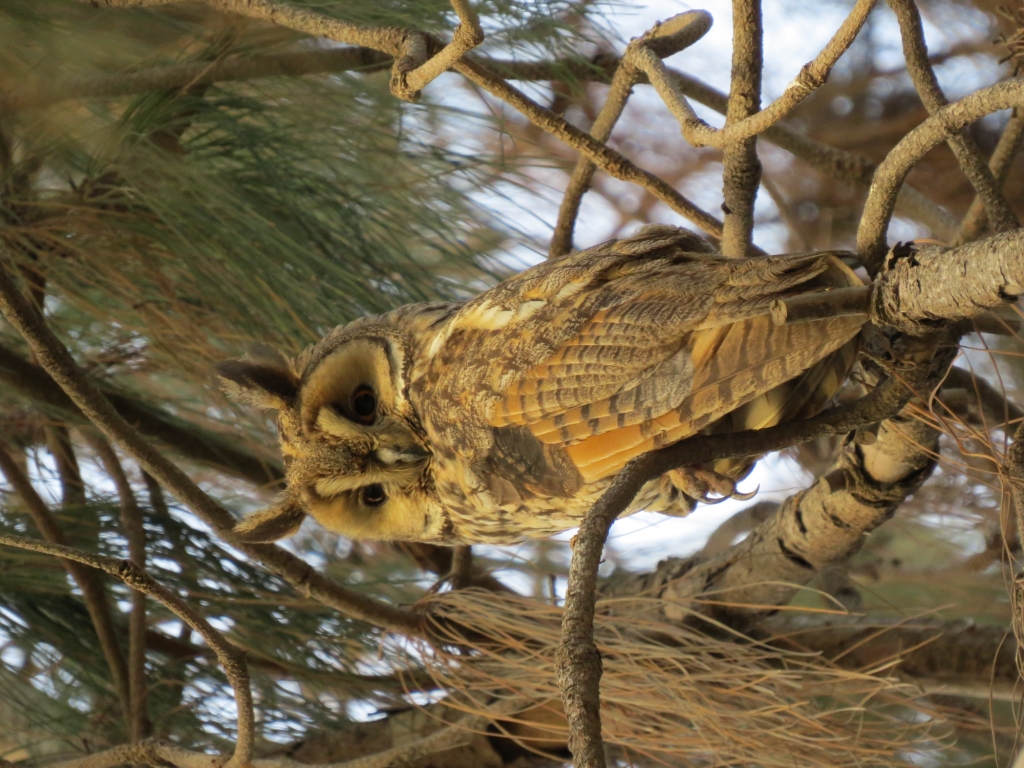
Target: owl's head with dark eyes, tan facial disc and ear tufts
356, 455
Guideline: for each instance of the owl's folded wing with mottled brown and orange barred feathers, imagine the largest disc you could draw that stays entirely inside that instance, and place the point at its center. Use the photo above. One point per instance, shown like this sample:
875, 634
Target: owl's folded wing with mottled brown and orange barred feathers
578, 366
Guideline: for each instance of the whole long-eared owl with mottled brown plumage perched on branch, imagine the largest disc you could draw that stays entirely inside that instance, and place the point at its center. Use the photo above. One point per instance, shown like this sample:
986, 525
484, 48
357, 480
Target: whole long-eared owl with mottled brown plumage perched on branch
507, 416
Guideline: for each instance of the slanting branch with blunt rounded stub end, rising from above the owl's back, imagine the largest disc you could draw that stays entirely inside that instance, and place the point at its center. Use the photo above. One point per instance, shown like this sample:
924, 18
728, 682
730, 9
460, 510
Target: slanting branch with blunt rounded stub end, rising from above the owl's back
685, 30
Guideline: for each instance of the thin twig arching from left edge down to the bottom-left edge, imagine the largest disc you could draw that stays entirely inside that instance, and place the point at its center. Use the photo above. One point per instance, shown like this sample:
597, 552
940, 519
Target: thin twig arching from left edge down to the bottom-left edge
231, 658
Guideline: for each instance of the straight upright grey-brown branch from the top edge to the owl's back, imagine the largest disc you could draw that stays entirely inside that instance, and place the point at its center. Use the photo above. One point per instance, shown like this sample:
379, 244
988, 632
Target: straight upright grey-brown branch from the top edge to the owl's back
741, 166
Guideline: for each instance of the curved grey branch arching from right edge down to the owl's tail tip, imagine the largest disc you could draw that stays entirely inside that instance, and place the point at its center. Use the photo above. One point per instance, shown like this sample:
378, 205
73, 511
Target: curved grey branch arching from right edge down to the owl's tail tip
912, 149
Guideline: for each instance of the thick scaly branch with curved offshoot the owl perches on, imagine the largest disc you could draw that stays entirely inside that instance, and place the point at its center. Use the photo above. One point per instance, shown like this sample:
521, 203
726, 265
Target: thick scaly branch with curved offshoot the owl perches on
786, 545
